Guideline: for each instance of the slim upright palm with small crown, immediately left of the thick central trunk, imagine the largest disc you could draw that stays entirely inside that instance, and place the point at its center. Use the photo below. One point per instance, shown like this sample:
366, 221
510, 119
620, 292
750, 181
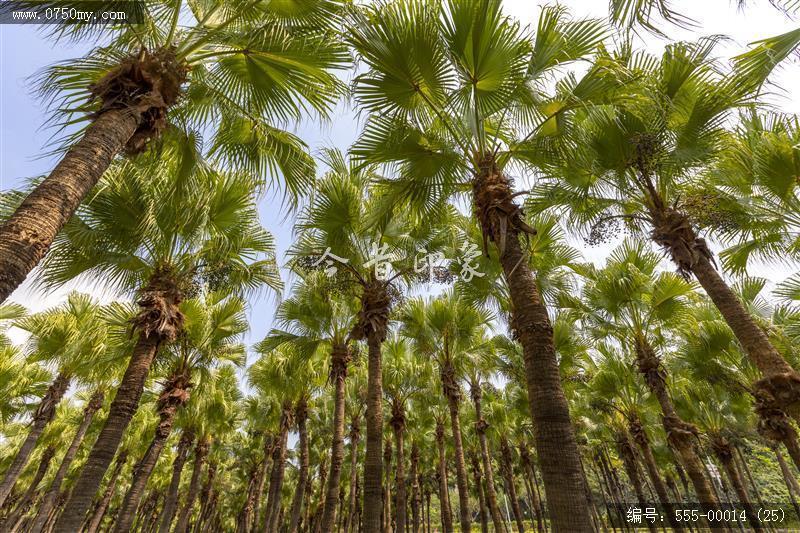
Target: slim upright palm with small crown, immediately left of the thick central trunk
448, 329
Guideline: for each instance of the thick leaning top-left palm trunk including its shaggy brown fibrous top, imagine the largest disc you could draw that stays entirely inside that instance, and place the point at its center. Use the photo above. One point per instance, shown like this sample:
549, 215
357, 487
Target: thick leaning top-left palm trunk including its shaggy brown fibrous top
134, 97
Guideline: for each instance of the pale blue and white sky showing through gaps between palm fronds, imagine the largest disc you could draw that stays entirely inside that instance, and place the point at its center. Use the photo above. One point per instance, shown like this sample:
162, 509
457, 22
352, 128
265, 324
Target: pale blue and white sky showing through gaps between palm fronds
23, 51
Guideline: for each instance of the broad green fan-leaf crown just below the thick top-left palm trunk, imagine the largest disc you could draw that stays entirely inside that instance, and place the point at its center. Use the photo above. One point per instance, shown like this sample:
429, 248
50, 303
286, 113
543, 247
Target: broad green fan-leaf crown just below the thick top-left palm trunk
178, 214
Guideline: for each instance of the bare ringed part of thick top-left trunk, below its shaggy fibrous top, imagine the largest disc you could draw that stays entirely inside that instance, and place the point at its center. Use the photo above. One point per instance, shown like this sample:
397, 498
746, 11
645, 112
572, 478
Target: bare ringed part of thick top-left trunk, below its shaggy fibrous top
27, 235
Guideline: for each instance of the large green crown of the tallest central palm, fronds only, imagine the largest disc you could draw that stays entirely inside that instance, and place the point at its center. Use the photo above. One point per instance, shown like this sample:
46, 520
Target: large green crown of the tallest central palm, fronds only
452, 83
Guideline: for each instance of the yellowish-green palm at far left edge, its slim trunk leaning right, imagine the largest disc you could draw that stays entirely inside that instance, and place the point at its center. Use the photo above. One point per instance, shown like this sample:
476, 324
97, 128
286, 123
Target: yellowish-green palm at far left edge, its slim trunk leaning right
70, 336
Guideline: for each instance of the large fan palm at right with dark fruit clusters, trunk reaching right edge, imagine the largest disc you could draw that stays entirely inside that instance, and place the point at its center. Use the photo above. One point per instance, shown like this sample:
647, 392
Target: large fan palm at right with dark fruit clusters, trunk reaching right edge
636, 160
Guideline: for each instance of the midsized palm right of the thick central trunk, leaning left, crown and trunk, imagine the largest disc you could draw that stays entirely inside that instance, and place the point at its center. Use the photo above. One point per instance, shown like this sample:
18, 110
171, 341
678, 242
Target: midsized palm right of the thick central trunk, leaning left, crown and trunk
631, 302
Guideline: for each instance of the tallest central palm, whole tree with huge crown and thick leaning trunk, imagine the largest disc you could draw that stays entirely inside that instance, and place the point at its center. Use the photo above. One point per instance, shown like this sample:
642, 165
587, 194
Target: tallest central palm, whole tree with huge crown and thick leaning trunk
456, 93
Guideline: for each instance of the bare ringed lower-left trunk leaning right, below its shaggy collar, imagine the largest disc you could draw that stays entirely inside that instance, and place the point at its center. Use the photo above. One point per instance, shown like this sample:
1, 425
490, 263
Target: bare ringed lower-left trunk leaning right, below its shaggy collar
123, 407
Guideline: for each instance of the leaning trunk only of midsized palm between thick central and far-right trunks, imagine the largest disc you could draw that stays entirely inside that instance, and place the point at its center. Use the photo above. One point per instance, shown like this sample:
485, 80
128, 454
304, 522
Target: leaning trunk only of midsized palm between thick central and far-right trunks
681, 435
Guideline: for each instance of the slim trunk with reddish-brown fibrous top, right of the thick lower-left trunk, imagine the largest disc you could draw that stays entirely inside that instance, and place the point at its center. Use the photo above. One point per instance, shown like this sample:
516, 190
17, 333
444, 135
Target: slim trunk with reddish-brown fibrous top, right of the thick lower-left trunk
173, 396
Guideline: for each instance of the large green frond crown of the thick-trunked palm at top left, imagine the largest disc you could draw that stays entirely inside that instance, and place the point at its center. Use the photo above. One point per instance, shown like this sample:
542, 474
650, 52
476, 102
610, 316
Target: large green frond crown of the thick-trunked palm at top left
245, 71
